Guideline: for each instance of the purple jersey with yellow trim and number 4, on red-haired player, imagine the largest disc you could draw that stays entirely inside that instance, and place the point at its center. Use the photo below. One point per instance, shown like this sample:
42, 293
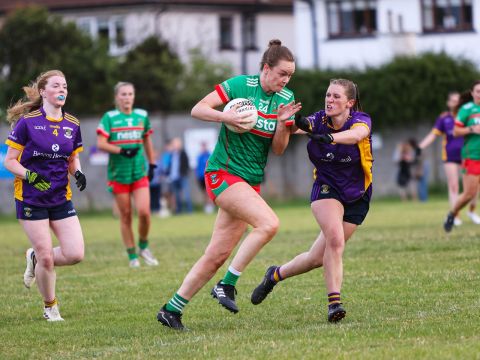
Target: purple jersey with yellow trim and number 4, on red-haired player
46, 145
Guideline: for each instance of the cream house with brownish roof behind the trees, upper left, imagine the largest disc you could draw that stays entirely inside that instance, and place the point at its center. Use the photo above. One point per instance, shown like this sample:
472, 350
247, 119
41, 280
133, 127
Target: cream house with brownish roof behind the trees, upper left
233, 31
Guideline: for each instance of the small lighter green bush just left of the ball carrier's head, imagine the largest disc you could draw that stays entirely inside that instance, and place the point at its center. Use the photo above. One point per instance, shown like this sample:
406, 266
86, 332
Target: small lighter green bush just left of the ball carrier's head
199, 79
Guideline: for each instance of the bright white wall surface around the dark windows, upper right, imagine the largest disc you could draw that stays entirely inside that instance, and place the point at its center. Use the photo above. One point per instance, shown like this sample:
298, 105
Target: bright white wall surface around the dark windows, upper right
390, 40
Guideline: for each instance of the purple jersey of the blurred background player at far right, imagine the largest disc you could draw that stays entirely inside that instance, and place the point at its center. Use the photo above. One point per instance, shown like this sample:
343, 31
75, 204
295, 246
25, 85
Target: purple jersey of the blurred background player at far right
451, 145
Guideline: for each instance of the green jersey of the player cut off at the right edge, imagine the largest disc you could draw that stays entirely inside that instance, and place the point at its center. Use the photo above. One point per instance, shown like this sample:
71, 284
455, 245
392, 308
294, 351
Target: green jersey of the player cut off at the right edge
468, 115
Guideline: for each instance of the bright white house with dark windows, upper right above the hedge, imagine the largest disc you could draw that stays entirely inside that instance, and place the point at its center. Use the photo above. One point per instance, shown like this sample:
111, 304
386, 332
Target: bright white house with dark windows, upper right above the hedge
359, 33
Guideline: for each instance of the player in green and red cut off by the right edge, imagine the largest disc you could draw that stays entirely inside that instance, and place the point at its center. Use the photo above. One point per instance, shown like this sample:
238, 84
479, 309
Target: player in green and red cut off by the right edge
467, 124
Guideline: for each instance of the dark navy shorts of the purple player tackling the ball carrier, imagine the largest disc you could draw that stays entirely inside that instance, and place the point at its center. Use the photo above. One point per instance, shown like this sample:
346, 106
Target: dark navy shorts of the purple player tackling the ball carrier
354, 212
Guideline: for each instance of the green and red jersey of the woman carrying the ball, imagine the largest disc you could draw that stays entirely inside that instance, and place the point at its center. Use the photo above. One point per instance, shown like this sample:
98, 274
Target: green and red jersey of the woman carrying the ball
245, 155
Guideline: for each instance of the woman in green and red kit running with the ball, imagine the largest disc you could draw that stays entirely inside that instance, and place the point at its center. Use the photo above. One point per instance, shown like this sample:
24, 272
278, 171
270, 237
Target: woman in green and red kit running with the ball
233, 176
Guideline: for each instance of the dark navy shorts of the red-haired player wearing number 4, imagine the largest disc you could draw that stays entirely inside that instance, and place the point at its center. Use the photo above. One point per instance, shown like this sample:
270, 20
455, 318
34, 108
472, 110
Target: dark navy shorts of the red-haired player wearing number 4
31, 212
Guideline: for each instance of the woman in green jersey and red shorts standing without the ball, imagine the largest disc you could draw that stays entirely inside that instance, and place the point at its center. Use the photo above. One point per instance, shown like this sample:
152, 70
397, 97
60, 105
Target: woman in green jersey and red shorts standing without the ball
125, 134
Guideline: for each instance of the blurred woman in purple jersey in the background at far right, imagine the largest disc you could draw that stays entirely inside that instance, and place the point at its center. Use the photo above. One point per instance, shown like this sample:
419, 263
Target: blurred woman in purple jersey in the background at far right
451, 153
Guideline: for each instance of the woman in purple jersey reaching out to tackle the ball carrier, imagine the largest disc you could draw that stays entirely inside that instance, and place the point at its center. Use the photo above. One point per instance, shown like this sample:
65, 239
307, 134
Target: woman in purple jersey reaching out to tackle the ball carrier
340, 149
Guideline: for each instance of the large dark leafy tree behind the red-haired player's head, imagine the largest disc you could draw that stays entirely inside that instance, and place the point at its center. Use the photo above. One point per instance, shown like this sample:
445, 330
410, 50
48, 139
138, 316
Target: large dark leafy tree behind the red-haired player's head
33, 41
